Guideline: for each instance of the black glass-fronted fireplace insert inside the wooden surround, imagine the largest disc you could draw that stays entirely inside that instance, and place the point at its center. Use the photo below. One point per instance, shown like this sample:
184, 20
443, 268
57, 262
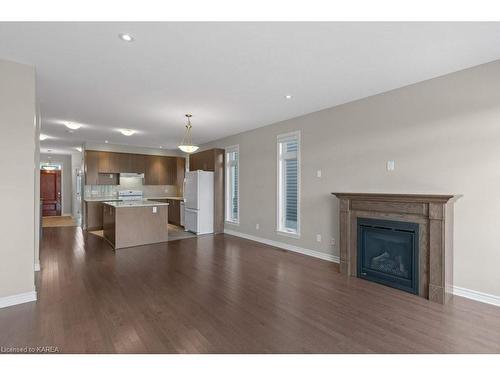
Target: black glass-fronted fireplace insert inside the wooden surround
388, 253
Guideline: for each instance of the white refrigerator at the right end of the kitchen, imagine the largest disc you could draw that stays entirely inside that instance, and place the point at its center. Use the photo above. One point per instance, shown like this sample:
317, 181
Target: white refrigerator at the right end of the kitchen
199, 202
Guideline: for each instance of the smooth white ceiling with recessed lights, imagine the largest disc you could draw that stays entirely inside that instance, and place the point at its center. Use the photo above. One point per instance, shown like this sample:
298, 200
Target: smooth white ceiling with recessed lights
231, 76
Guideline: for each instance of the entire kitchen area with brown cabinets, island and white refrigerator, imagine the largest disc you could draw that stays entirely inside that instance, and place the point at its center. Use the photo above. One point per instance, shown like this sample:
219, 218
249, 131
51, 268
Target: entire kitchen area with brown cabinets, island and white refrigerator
133, 199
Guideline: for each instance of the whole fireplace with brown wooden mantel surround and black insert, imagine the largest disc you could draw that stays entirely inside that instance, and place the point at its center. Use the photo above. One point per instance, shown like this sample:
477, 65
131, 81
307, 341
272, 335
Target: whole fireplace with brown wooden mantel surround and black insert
417, 257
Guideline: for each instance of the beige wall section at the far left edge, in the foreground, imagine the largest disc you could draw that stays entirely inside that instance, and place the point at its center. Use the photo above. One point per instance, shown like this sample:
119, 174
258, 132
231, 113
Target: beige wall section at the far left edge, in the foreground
17, 184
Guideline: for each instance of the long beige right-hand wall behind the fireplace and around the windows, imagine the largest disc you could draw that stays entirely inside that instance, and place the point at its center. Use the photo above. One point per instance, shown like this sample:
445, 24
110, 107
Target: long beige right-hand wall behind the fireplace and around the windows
444, 135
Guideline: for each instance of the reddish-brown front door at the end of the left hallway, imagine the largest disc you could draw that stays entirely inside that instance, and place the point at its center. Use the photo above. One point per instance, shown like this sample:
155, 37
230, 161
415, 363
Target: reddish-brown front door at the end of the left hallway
50, 192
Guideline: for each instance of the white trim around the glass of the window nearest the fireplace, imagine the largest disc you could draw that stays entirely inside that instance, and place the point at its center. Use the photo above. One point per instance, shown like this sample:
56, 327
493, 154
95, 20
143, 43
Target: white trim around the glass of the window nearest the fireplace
281, 138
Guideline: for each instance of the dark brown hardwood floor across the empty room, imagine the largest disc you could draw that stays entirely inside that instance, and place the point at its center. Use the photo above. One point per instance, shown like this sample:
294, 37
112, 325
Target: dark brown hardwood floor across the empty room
223, 294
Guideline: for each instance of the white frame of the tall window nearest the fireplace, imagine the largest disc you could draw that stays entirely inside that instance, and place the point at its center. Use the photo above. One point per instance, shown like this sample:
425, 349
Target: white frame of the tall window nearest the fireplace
280, 228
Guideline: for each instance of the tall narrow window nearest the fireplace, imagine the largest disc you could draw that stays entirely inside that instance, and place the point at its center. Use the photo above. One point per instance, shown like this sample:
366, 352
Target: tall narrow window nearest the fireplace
288, 214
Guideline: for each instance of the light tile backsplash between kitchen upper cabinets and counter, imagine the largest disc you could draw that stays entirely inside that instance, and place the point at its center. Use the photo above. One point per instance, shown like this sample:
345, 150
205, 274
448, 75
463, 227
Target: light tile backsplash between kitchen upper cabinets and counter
130, 183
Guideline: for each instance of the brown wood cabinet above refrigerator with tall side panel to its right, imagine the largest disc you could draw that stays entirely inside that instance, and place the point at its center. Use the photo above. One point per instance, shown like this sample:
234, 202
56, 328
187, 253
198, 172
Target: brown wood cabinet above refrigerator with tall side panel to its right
212, 160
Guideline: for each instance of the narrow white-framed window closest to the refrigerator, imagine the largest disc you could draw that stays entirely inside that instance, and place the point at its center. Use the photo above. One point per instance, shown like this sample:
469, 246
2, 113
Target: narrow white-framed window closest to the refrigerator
232, 184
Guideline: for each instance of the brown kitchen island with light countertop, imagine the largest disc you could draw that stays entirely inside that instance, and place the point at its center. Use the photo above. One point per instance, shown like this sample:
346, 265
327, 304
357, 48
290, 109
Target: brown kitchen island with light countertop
135, 223
